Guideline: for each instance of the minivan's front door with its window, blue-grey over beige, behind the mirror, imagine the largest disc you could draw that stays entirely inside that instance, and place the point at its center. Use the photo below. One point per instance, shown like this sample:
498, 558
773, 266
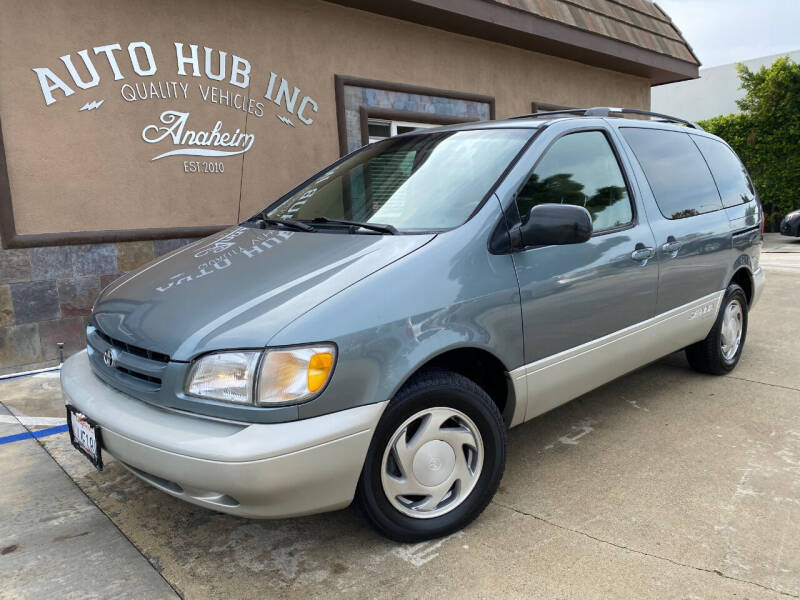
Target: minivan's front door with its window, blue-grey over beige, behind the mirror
583, 305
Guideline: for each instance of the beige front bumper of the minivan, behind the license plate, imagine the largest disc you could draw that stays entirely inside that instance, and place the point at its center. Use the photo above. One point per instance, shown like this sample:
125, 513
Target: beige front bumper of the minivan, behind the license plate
250, 470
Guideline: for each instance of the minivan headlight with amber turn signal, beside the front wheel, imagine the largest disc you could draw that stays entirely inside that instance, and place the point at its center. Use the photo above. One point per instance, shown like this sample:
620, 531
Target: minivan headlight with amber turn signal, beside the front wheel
269, 378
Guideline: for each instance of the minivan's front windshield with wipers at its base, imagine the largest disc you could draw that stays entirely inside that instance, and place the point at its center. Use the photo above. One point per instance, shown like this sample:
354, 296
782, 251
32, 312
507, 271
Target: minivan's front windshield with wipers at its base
413, 182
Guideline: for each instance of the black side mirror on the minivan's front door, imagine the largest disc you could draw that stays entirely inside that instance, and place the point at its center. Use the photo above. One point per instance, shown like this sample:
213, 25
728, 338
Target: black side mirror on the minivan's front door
554, 224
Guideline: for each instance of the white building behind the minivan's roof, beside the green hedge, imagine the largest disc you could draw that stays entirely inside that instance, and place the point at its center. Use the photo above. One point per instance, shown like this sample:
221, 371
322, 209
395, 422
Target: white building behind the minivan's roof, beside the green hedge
714, 94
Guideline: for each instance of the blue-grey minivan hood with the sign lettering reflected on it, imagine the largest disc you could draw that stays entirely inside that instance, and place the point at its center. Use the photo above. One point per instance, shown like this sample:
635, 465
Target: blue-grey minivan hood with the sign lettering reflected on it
238, 288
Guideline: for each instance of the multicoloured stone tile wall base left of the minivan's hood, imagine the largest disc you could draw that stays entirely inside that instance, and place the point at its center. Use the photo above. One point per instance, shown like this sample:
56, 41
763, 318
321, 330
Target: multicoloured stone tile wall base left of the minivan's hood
46, 295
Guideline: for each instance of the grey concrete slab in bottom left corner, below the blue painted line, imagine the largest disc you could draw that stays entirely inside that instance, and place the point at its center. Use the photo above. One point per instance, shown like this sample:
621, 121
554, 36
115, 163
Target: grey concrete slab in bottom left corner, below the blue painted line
54, 542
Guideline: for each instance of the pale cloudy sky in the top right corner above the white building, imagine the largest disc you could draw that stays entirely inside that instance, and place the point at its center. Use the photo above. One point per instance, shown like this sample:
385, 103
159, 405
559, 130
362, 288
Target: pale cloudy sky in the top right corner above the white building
726, 31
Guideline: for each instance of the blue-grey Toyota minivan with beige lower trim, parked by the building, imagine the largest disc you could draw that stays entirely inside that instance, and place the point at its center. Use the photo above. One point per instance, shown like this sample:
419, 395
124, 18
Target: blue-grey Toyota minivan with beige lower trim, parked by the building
370, 336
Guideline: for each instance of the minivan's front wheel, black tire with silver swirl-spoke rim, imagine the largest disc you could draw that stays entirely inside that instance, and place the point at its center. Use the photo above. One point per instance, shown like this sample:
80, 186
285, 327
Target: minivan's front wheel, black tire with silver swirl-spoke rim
409, 443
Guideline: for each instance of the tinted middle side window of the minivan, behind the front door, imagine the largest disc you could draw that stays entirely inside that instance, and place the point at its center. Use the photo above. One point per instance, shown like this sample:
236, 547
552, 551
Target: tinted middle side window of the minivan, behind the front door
675, 170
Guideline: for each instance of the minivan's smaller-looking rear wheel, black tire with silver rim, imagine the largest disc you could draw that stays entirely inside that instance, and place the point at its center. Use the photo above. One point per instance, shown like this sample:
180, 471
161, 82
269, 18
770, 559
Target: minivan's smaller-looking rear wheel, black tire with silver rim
710, 355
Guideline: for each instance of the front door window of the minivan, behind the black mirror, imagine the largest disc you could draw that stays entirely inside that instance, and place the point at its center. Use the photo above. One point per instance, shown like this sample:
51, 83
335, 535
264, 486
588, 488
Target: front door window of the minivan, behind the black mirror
581, 169
